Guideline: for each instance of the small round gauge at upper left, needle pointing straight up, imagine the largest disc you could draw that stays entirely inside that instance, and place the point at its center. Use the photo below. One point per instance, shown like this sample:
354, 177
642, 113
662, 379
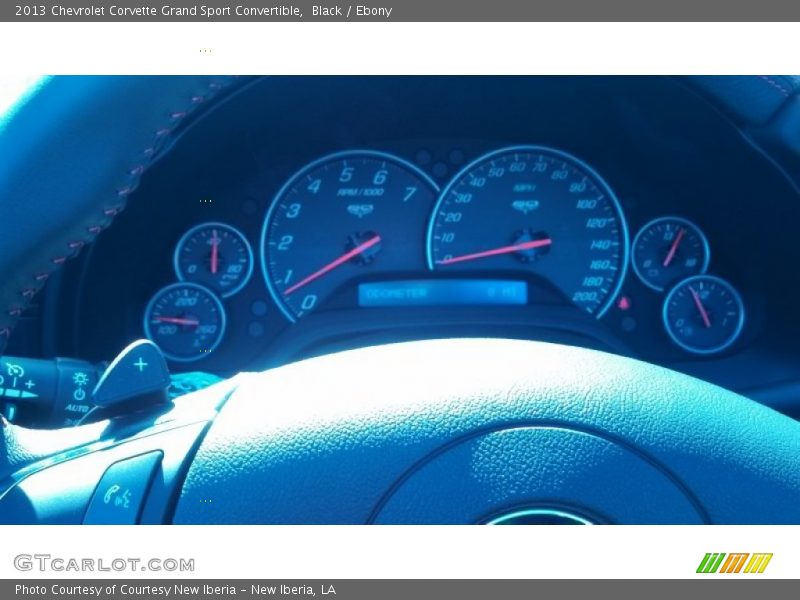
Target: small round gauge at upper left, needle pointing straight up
216, 256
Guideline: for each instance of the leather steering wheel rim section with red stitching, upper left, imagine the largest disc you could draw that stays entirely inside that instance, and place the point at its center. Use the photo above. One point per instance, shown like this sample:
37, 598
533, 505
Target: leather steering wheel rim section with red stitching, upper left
72, 154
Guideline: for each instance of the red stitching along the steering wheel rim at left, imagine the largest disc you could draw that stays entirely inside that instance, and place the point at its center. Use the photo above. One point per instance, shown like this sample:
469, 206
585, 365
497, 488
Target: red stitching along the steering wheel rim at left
95, 229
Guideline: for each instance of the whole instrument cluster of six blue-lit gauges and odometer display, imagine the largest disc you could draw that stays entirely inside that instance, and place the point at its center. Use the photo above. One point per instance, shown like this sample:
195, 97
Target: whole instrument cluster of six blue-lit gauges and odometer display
518, 227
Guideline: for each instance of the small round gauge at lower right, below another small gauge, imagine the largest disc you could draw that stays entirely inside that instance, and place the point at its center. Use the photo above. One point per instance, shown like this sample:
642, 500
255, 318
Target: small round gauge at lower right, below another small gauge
703, 314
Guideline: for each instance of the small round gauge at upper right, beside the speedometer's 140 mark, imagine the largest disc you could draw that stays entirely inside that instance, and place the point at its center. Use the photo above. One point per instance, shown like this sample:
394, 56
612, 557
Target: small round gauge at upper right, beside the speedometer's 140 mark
667, 250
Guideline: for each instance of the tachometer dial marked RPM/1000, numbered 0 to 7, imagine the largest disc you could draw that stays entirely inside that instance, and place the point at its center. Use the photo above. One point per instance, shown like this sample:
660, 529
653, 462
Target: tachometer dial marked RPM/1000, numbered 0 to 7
342, 217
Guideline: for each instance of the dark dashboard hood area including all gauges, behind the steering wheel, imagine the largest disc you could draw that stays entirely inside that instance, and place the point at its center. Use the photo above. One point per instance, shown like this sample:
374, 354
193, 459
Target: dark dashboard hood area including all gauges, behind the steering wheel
304, 215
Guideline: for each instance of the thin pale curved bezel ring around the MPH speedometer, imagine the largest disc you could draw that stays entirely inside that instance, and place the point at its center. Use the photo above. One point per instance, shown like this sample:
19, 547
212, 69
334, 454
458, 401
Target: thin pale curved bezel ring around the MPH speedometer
567, 157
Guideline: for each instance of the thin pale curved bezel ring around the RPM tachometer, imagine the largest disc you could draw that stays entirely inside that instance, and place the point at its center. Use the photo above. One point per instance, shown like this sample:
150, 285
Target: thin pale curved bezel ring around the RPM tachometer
334, 156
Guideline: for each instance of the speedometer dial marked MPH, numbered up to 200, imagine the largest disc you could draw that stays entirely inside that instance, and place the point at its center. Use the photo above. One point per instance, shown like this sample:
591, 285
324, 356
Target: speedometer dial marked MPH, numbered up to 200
539, 211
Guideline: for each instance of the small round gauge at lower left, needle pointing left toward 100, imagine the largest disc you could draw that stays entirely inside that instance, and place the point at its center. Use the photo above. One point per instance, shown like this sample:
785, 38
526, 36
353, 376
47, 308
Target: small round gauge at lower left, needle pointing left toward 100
185, 320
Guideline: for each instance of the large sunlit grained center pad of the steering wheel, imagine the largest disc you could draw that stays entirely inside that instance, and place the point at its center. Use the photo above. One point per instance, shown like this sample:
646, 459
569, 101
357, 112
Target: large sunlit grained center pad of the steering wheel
466, 430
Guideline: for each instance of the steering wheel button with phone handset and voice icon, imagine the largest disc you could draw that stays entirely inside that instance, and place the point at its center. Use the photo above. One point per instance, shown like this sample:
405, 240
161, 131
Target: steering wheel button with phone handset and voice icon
119, 497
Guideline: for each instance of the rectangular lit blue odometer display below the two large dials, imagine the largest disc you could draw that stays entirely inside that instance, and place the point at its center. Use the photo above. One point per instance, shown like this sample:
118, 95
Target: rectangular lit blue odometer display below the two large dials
422, 292
